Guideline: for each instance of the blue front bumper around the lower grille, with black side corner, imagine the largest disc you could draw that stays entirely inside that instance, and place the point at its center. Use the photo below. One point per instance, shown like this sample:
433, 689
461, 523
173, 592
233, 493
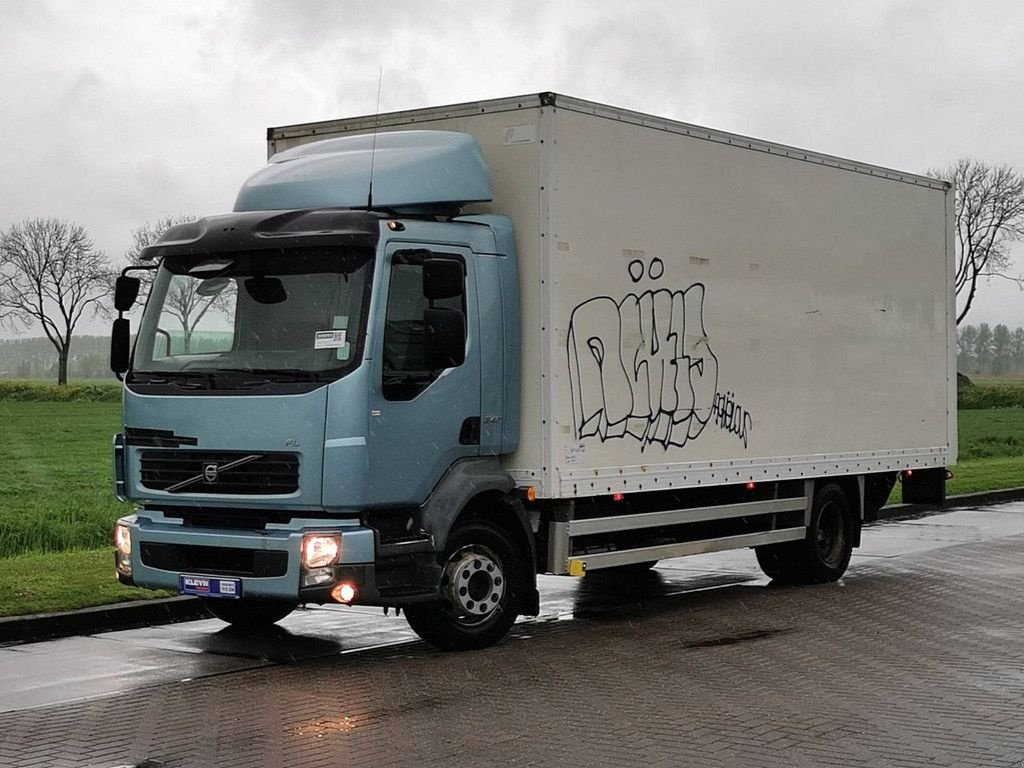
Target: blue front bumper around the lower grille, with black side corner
269, 562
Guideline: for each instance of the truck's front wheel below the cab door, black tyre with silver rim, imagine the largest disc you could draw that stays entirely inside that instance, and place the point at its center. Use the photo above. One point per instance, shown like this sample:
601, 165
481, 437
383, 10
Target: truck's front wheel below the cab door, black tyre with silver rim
484, 582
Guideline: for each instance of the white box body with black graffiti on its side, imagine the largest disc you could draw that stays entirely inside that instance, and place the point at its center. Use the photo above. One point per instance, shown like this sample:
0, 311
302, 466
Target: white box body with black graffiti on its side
702, 309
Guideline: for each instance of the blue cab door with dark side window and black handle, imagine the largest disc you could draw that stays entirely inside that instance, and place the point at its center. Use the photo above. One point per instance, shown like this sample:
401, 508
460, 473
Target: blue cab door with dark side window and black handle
424, 415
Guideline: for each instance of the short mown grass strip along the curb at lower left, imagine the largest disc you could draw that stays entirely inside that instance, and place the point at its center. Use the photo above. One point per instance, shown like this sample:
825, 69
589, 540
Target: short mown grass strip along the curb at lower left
63, 581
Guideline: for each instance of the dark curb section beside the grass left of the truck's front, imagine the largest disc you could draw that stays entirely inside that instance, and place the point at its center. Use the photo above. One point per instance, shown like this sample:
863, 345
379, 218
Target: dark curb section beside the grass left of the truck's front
101, 619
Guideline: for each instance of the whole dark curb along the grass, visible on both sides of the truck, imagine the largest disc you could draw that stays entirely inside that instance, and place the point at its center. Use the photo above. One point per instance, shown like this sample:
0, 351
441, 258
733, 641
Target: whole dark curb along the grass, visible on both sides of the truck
172, 610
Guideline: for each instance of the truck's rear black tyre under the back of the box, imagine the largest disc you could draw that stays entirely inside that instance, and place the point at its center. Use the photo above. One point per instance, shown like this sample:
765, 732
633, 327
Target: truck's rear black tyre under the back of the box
825, 554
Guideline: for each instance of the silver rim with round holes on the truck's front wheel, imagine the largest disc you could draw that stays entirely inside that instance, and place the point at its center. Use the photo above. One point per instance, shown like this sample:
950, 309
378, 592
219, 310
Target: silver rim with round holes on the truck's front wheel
474, 584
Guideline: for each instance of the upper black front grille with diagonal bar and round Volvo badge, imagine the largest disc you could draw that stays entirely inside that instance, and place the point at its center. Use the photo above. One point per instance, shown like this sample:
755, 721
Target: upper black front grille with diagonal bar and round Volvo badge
221, 473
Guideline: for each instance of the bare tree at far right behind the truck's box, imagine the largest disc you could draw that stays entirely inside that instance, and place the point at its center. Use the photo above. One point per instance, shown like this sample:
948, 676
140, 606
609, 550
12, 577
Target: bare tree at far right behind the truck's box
989, 218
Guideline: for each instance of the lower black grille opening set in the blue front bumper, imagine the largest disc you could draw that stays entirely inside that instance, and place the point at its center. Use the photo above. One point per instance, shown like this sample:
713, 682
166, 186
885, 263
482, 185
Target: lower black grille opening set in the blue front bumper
188, 559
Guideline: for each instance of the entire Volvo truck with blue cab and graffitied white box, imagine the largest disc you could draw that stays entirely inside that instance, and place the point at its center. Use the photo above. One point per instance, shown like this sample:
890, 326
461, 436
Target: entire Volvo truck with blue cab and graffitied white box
434, 354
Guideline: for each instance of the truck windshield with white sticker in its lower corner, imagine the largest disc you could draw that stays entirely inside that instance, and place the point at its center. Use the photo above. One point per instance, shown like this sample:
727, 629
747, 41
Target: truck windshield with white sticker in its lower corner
295, 315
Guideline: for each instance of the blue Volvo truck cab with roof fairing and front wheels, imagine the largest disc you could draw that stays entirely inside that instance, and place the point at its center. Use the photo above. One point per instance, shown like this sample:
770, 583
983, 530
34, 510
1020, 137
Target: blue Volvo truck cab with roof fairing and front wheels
320, 387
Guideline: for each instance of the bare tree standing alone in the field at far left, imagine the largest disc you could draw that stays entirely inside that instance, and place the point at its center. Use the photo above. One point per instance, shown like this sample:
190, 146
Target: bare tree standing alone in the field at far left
51, 275
